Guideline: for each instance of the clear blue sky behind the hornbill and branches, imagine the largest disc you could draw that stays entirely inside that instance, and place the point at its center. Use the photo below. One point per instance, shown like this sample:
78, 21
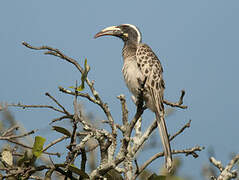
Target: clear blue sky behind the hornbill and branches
197, 42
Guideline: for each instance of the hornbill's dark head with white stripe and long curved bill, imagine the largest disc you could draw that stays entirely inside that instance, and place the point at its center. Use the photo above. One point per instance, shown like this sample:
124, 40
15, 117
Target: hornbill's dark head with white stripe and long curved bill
127, 32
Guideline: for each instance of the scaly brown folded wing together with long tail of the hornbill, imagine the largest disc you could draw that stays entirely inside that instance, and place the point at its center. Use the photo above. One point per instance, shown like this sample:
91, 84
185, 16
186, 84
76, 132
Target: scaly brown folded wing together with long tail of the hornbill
151, 68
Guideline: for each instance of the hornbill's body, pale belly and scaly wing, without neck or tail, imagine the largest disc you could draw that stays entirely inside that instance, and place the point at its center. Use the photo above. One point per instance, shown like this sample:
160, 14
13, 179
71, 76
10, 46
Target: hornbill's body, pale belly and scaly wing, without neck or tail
145, 65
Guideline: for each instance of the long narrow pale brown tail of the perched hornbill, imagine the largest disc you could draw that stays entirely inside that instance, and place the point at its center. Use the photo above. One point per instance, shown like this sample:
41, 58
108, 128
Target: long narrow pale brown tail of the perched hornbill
165, 141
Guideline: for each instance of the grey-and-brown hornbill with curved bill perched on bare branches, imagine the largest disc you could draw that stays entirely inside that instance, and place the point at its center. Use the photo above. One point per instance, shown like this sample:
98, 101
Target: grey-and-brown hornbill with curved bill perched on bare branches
140, 64
